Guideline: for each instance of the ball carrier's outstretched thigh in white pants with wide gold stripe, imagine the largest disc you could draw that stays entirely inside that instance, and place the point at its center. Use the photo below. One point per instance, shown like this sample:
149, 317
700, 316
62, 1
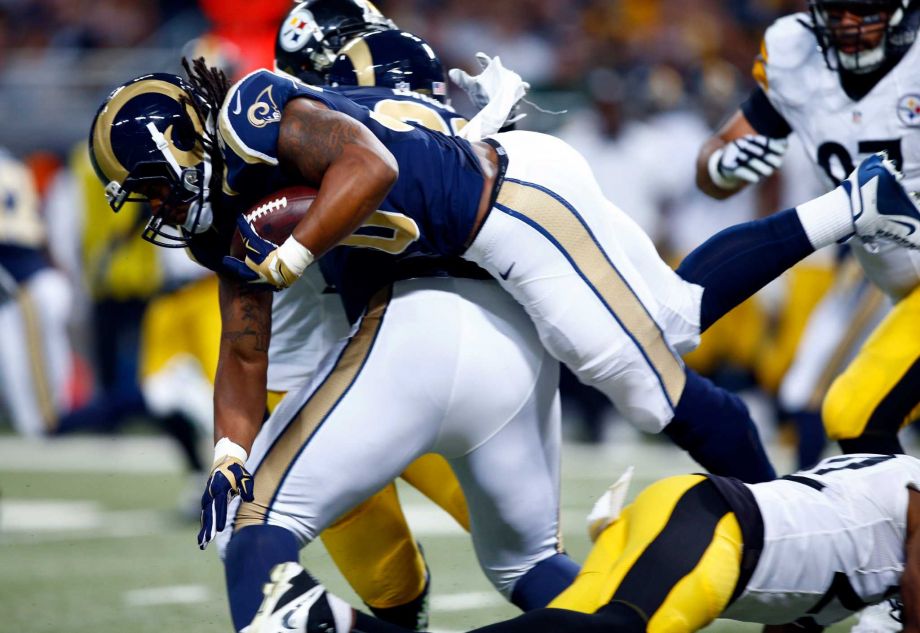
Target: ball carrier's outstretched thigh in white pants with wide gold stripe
562, 260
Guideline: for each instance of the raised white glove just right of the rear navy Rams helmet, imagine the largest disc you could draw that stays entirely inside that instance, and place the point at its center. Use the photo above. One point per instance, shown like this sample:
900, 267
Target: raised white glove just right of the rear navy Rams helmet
495, 91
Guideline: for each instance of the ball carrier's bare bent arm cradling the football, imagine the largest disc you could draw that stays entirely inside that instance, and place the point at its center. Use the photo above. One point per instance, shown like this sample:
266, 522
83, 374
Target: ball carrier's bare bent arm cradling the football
350, 166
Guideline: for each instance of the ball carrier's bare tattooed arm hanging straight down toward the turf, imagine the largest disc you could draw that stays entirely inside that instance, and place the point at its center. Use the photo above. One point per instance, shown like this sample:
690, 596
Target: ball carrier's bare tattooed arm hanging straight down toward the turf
239, 387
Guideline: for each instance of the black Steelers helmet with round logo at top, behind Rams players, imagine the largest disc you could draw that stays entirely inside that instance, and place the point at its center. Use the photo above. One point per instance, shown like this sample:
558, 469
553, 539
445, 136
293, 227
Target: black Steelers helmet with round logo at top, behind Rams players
311, 35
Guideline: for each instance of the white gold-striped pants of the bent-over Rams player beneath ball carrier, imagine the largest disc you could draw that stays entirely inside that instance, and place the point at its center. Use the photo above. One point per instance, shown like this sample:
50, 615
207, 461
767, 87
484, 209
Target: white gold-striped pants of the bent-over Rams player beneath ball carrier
449, 366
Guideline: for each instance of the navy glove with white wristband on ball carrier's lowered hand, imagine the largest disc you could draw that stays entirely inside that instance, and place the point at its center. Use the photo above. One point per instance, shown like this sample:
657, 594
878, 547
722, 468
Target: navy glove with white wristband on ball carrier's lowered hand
228, 479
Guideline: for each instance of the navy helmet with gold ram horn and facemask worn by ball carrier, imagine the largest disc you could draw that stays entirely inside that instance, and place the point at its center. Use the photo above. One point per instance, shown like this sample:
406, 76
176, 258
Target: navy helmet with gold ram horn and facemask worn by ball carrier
149, 137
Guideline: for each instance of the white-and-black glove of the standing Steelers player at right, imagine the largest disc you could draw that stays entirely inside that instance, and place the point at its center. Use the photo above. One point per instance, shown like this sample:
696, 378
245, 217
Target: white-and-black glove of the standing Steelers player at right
748, 159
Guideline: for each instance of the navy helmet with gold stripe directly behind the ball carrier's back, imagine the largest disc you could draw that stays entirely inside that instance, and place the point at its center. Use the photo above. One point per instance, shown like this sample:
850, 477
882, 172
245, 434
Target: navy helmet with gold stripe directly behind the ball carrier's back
394, 59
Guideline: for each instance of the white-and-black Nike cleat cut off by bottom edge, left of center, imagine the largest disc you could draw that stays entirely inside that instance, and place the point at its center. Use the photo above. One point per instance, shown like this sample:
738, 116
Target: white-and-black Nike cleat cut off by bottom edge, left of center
294, 602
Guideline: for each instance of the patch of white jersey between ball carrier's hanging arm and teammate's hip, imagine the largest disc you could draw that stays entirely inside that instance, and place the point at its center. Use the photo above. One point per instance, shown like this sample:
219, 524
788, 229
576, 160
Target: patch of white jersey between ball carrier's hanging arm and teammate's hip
307, 322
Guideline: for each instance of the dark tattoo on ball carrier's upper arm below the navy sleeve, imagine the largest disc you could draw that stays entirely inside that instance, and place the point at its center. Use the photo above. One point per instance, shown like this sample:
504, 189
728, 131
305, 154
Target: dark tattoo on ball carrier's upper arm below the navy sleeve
311, 138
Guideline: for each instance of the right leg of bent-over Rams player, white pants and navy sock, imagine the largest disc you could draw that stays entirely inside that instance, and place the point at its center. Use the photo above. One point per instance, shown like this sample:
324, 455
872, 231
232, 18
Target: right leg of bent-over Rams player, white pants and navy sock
502, 429
